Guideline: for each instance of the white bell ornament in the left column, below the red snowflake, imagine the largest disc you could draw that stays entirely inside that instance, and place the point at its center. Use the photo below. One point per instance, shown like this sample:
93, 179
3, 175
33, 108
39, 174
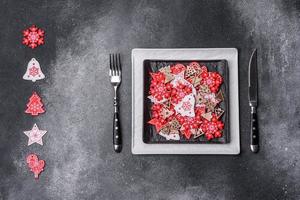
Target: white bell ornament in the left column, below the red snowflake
34, 71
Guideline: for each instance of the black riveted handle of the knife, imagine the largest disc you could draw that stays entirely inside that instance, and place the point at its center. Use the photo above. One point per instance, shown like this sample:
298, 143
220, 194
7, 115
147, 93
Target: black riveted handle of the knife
254, 131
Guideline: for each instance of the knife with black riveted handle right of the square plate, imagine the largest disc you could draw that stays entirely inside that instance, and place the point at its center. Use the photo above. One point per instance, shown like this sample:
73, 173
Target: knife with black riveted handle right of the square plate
253, 102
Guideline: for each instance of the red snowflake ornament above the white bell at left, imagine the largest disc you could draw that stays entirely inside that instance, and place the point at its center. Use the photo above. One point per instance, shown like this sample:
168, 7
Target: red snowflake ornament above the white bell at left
33, 37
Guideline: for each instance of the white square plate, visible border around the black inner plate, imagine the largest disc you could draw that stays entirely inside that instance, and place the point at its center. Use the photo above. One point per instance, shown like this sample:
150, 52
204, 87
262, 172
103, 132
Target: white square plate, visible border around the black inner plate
139, 145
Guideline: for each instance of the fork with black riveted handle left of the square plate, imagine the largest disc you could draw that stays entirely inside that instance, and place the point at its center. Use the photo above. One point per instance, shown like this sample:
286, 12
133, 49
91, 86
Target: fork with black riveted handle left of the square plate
115, 73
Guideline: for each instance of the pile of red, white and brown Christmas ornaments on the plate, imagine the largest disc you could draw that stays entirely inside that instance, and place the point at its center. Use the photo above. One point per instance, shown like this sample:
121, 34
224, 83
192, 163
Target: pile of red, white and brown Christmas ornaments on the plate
185, 102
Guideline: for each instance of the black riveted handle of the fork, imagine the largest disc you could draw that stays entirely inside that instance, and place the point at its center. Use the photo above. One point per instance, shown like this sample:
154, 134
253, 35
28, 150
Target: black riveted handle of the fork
117, 136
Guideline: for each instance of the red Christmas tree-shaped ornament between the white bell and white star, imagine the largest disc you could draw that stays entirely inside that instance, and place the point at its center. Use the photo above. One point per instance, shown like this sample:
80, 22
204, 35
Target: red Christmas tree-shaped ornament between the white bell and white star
35, 105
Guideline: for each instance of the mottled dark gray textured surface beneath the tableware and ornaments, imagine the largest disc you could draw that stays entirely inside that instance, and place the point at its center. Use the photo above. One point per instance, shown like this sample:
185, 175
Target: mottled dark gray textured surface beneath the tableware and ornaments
78, 150
